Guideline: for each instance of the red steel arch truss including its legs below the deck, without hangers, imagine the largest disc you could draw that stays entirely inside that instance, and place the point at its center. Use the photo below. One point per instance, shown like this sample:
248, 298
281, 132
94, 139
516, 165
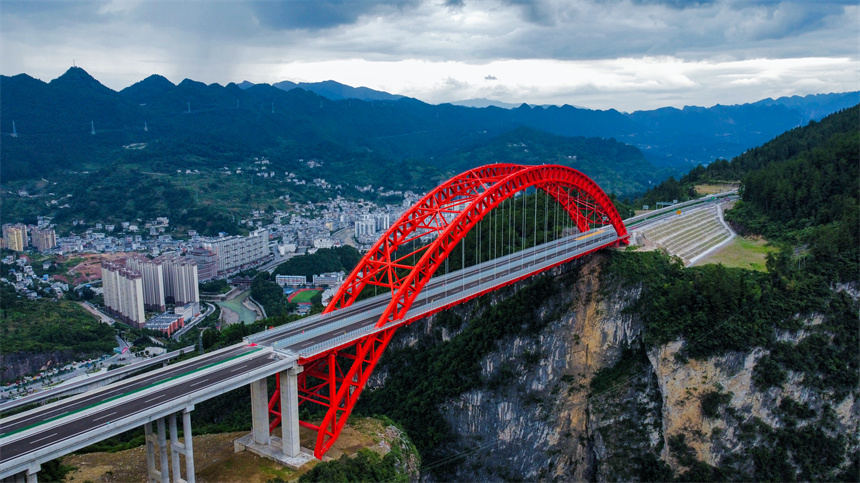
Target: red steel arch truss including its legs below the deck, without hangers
440, 220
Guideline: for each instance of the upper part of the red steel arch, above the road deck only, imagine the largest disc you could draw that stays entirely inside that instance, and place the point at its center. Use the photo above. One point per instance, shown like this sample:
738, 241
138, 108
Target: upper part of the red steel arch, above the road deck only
483, 189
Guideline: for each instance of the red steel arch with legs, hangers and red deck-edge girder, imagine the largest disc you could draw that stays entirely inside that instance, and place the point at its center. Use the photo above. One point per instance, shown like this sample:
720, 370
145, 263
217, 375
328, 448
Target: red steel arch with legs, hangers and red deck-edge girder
417, 245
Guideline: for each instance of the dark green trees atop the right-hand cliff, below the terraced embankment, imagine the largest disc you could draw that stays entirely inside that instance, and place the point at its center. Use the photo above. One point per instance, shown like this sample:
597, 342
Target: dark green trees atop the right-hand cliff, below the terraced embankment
716, 309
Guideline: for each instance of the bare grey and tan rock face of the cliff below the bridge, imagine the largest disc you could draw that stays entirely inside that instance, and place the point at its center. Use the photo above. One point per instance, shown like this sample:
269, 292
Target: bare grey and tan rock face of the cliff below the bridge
582, 398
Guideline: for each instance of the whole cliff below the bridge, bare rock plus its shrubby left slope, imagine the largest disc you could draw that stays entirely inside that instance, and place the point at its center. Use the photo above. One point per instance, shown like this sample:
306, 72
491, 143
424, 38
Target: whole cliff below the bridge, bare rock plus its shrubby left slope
569, 389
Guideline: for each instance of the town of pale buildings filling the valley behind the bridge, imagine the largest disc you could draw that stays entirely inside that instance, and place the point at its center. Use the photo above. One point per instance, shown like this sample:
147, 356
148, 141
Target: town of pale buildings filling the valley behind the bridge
145, 267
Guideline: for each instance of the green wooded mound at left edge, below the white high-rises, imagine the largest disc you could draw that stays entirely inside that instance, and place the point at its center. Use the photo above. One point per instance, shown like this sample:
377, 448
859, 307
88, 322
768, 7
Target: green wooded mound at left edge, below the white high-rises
48, 326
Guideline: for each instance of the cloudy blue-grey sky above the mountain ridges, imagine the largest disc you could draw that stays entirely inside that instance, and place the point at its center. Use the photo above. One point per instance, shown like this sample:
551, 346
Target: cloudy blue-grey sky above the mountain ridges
623, 54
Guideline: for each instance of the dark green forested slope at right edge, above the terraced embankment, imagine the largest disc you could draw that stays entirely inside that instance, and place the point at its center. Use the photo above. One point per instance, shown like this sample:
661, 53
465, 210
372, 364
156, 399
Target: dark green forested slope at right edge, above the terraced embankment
804, 188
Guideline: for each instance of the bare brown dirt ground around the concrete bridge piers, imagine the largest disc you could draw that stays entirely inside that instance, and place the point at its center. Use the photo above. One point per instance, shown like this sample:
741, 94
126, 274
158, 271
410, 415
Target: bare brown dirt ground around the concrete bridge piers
215, 461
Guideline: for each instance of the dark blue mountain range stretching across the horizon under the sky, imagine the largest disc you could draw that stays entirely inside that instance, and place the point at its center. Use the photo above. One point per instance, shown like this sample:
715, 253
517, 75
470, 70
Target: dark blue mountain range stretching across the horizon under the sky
55, 122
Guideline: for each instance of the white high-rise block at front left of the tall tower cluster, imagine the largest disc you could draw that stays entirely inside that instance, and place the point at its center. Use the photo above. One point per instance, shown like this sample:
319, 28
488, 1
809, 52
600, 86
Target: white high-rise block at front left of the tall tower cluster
123, 292
